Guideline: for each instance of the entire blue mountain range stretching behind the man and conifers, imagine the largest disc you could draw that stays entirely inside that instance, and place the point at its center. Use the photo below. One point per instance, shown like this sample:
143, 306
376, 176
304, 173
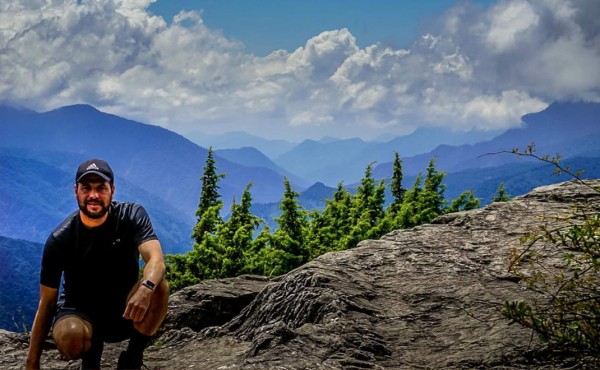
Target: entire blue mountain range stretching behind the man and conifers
162, 169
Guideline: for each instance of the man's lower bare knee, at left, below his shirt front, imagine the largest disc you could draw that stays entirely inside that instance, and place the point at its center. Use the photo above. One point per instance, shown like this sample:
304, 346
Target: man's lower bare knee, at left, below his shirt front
73, 336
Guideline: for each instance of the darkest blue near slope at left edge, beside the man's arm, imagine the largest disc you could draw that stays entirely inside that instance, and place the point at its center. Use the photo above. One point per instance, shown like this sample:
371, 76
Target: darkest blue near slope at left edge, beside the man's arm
19, 273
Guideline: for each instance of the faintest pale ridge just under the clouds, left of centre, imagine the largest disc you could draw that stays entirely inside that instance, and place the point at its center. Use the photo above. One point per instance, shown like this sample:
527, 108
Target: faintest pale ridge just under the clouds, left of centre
240, 139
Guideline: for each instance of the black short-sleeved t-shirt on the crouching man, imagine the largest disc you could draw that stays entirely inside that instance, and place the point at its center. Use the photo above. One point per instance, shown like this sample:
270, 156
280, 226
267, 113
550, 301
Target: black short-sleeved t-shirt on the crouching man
100, 264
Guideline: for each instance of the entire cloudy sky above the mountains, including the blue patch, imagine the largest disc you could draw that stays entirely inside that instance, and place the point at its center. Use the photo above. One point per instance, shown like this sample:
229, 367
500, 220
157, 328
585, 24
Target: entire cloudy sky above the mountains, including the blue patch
292, 70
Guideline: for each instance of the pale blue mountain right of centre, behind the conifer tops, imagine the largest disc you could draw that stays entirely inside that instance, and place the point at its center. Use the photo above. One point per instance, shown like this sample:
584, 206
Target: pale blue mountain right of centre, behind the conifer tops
333, 160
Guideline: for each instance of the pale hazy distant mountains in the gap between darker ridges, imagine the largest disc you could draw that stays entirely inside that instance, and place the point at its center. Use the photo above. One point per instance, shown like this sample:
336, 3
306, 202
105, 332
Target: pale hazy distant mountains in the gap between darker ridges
331, 160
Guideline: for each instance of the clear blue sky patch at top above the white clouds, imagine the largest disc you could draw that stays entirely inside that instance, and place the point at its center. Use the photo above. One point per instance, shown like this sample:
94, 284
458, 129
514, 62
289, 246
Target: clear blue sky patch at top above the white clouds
267, 25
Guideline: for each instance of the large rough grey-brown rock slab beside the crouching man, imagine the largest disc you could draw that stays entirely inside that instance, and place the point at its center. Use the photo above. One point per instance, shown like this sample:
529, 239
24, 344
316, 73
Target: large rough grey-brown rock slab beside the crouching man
428, 297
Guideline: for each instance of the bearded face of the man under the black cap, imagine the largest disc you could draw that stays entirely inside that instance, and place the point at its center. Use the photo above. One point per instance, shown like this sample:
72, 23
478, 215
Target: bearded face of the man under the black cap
94, 195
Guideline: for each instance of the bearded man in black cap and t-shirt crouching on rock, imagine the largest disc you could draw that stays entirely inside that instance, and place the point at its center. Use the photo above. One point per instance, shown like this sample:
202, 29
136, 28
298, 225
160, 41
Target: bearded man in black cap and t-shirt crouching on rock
97, 249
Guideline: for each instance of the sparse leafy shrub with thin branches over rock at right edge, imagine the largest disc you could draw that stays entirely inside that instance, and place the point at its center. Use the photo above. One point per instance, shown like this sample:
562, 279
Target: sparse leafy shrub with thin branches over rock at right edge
568, 310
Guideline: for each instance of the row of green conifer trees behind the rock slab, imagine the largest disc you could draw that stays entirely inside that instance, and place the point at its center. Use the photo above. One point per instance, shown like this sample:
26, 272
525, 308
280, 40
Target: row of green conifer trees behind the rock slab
226, 248
